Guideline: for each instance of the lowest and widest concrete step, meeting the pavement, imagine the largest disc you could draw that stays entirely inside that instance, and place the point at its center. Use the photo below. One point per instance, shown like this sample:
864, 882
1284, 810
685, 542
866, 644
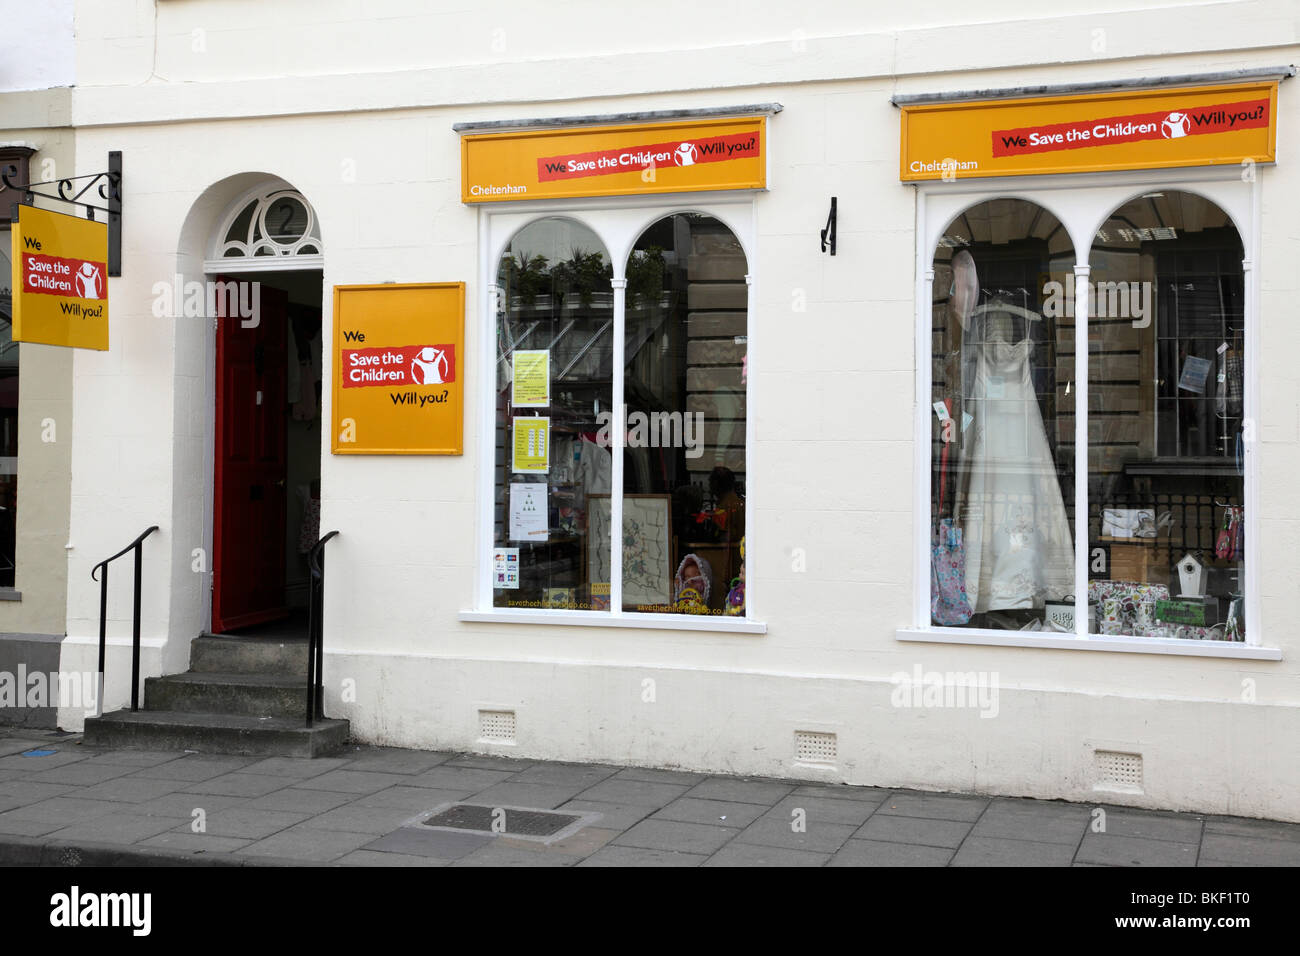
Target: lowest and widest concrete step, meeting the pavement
172, 730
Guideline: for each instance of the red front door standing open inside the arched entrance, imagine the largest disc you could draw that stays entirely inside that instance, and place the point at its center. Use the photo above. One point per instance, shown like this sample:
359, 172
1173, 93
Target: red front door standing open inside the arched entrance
249, 501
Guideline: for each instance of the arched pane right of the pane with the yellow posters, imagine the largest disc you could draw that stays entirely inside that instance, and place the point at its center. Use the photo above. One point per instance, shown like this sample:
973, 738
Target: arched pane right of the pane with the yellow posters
684, 388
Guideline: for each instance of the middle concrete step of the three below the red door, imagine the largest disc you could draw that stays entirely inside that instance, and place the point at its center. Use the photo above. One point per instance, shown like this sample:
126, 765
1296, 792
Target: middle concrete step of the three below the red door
211, 693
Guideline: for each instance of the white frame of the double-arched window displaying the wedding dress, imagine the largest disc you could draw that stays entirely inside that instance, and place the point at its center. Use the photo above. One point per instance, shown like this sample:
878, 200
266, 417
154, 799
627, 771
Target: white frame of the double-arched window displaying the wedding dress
1084, 204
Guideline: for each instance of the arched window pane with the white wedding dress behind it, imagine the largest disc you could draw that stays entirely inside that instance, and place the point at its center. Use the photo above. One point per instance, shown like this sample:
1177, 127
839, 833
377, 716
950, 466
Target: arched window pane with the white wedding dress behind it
1003, 418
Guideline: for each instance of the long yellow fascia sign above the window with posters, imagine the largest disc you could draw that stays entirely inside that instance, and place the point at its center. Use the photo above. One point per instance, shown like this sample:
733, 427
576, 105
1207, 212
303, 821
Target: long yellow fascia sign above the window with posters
614, 161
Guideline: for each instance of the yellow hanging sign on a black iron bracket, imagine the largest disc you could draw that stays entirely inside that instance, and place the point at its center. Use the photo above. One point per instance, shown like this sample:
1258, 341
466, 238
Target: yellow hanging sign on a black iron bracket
60, 280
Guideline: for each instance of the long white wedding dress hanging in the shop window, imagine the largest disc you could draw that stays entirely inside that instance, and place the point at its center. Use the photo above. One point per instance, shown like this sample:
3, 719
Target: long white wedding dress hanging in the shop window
1019, 546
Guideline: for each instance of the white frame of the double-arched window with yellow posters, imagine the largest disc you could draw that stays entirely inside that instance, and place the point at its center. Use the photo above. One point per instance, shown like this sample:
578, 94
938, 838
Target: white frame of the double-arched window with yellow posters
618, 223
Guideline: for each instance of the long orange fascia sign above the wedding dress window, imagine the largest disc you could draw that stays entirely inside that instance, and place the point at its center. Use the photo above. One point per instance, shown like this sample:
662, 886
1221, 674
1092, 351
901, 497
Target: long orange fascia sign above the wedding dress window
1150, 129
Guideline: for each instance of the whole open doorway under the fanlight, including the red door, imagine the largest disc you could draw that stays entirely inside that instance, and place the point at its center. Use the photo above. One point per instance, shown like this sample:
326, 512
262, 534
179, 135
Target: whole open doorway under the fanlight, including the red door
267, 462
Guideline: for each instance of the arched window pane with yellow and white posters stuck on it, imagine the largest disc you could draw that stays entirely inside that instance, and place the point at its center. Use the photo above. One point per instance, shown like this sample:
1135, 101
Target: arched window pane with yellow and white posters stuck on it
554, 388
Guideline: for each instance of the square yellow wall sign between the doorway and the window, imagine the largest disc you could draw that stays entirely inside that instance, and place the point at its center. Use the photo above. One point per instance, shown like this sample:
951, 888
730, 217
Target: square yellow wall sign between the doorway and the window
400, 356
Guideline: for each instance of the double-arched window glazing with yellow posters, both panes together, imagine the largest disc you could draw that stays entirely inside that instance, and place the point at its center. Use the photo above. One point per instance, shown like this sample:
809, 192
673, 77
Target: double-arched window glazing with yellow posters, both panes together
669, 339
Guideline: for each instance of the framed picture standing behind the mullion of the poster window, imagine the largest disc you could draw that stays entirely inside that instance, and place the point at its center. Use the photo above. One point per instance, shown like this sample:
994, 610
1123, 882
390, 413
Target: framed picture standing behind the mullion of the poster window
647, 547
